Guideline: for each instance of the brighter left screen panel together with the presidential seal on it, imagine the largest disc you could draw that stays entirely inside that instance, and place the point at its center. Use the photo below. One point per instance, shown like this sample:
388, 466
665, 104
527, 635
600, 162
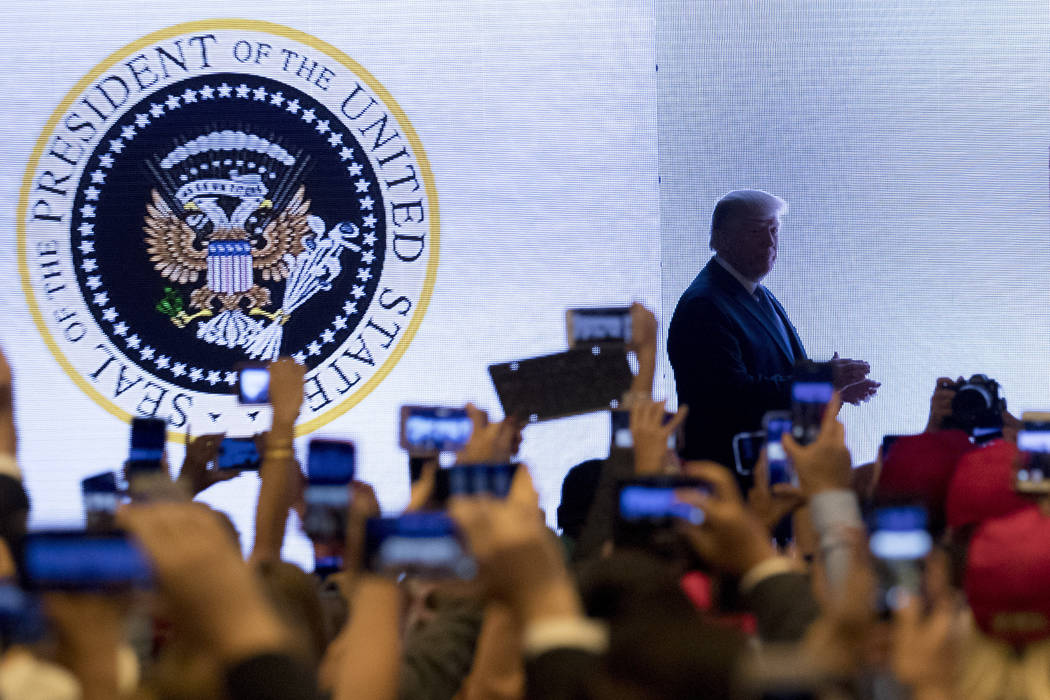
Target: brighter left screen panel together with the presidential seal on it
509, 149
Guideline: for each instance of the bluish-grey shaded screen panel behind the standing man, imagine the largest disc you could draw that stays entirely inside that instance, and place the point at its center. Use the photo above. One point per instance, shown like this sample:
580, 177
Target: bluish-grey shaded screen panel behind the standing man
911, 139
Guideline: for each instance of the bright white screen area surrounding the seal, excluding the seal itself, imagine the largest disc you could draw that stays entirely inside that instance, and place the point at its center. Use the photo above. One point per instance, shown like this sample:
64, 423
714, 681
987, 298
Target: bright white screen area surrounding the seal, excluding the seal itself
540, 123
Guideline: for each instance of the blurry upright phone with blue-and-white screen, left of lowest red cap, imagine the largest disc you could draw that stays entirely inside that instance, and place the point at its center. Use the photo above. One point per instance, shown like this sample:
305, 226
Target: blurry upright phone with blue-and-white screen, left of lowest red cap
900, 542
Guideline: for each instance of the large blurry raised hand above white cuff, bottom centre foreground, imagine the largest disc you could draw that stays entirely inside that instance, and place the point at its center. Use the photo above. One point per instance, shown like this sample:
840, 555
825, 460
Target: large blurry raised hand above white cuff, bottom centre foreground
520, 562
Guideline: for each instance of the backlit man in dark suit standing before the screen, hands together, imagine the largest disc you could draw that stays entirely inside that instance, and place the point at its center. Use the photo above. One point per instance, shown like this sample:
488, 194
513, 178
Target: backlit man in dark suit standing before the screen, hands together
731, 344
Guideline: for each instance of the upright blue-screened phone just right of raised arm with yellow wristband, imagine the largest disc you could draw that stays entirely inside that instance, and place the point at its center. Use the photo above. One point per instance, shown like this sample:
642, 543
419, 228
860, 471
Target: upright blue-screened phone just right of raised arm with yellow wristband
330, 470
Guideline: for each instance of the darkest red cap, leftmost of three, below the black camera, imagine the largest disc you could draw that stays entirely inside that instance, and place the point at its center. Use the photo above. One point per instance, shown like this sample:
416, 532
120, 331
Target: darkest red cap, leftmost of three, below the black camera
920, 468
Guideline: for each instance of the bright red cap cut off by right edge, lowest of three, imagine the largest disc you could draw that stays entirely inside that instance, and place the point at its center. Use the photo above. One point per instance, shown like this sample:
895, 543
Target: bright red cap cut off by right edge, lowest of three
1007, 578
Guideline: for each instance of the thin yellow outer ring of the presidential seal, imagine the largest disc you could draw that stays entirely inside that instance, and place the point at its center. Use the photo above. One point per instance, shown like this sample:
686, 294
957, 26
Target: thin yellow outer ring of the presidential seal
288, 33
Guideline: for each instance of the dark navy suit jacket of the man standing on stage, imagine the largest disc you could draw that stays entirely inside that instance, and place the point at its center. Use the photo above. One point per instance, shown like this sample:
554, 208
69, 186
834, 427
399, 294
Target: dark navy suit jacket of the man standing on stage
731, 364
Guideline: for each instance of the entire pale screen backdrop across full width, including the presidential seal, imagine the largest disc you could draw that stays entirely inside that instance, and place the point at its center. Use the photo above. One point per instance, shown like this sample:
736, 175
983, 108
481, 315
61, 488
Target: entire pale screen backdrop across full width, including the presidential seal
463, 173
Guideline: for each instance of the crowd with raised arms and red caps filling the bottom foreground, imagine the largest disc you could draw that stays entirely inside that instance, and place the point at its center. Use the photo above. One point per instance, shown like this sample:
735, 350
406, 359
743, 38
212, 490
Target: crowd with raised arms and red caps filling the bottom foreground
721, 604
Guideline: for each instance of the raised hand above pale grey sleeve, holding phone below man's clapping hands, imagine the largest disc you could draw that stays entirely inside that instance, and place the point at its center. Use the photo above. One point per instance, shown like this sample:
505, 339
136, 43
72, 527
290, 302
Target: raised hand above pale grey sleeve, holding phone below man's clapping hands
825, 464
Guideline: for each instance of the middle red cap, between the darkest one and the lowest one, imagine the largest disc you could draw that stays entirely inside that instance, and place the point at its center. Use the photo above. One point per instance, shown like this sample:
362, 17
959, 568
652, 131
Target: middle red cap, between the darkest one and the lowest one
982, 486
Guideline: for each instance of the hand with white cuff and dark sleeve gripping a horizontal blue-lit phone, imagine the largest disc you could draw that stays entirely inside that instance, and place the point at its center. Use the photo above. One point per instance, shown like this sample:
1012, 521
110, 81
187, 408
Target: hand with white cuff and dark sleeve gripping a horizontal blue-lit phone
731, 538
